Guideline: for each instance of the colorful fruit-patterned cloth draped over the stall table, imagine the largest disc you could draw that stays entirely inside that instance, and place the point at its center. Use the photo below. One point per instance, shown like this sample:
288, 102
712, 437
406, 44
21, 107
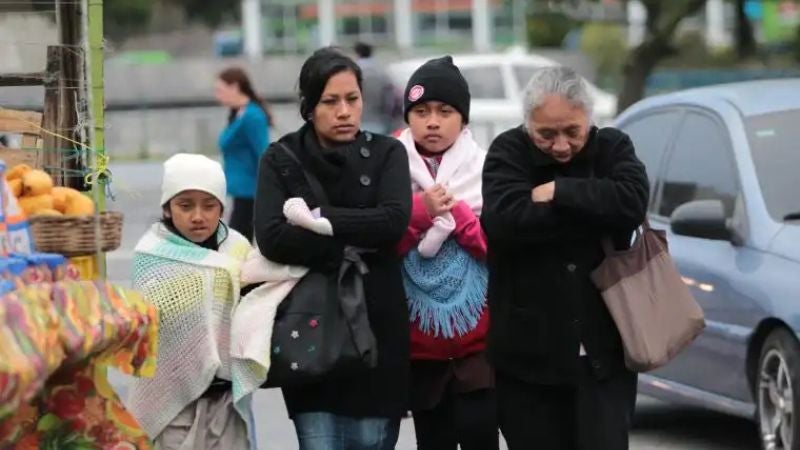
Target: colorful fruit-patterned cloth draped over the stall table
56, 342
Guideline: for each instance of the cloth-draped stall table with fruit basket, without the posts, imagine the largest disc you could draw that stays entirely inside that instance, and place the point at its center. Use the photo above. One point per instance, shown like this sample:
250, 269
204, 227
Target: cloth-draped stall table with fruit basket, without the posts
58, 333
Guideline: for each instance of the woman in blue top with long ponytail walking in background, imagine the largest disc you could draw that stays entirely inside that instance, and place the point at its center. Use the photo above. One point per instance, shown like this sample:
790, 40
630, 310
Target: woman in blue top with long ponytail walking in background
242, 143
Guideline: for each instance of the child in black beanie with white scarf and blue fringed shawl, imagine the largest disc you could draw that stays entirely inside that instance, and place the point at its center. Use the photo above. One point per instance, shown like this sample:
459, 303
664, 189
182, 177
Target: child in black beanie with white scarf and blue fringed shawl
452, 385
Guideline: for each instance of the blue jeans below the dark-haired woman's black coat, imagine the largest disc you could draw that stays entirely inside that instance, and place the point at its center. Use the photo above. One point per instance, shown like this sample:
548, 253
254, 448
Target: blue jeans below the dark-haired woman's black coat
326, 431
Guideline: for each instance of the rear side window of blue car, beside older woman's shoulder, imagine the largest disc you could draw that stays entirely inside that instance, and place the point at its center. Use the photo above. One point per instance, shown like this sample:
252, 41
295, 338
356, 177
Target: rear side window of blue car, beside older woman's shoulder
650, 135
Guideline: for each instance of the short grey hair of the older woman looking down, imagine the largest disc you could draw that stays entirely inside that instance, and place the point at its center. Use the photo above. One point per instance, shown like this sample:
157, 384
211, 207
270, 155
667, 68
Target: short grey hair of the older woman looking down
556, 80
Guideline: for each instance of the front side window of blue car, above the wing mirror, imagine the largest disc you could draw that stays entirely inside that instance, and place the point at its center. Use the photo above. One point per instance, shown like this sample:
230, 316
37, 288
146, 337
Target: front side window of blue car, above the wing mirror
700, 167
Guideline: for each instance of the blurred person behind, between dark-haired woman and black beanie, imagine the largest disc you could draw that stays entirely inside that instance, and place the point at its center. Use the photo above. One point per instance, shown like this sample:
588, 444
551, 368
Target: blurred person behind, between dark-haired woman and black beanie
380, 104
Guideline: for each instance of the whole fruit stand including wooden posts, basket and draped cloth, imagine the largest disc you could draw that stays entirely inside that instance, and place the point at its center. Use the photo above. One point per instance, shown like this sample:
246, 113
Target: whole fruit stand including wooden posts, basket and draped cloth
61, 325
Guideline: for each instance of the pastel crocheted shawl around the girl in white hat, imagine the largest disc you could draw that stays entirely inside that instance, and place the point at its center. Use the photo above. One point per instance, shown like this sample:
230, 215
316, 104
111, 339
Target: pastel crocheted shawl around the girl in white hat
195, 290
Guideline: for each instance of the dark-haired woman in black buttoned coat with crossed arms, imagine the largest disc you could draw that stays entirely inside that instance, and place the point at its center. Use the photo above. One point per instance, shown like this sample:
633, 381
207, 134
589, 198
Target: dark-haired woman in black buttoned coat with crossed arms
366, 179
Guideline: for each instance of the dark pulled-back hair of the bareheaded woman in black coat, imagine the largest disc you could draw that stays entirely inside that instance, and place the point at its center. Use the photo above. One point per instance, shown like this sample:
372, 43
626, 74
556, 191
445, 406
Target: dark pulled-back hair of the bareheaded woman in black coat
315, 73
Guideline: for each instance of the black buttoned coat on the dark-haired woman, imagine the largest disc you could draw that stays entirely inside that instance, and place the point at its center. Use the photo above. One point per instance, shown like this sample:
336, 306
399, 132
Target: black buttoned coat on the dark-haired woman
369, 188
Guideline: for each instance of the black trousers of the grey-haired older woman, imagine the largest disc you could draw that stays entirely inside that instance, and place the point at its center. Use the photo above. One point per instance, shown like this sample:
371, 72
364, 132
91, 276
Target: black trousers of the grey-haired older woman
590, 415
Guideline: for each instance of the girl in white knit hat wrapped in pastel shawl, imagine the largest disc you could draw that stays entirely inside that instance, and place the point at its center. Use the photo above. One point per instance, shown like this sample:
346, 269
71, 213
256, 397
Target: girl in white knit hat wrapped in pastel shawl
188, 265
